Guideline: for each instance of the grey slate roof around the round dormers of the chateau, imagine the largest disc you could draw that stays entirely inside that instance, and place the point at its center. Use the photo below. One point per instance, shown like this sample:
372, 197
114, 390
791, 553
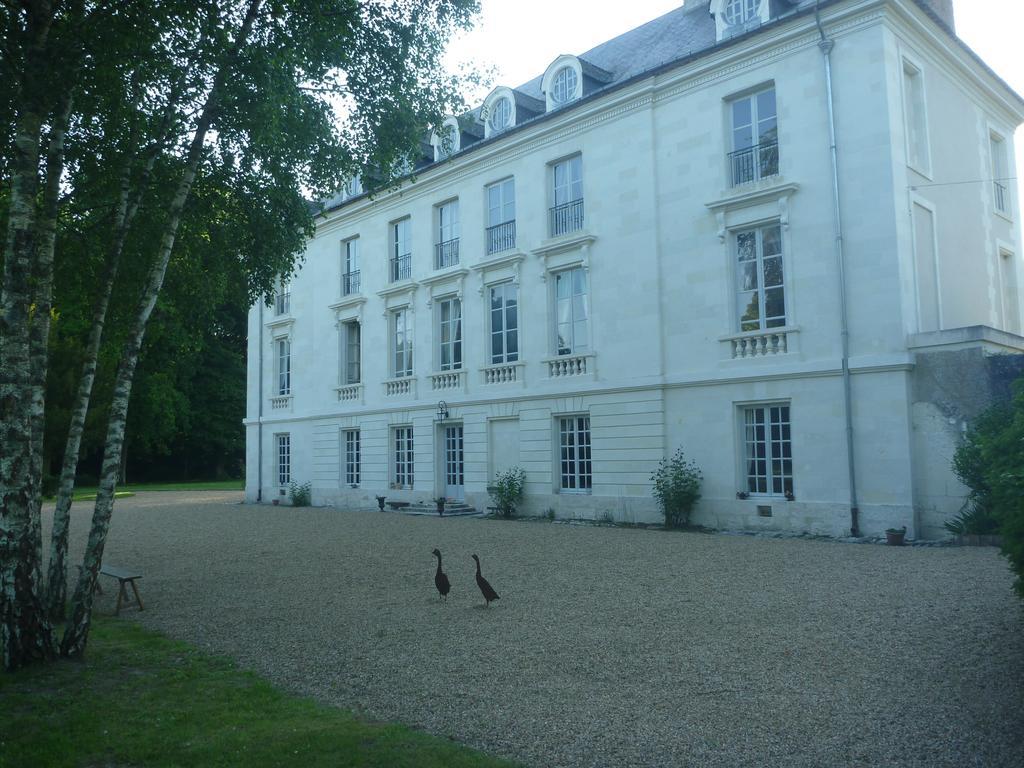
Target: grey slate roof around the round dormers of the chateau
681, 35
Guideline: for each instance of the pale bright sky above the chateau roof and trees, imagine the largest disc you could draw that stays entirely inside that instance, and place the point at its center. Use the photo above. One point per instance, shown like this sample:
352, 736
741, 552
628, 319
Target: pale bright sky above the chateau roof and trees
520, 38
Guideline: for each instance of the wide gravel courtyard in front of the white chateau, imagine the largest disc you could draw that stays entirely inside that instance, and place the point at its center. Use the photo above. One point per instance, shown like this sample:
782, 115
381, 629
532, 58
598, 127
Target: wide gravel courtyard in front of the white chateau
609, 647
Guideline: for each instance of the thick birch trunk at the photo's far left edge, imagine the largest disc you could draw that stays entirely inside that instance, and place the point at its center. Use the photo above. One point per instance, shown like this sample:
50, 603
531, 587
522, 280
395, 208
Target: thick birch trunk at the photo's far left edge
25, 633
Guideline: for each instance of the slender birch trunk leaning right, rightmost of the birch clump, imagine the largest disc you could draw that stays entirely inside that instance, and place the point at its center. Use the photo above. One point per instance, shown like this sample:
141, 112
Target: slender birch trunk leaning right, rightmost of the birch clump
77, 630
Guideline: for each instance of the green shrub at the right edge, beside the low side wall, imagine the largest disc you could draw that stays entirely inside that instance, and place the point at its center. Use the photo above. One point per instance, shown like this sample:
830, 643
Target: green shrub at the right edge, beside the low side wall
991, 463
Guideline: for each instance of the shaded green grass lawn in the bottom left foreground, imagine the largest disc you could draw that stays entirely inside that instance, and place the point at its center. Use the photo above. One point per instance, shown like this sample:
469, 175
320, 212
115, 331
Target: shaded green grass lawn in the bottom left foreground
142, 700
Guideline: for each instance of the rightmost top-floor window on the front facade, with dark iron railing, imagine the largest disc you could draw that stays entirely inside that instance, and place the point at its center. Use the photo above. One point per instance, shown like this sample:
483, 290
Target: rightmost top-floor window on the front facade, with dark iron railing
755, 138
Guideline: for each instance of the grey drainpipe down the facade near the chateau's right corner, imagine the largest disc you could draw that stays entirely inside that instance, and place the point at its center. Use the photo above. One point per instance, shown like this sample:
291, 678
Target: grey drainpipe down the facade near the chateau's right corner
827, 47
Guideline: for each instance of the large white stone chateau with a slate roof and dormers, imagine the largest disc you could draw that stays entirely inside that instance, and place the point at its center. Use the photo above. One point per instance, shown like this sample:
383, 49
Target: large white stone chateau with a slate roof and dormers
654, 245
